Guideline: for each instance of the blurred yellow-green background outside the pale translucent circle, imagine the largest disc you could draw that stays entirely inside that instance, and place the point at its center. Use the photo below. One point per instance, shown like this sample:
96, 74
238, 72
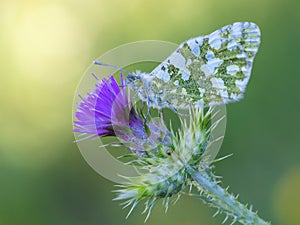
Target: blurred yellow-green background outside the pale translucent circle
46, 47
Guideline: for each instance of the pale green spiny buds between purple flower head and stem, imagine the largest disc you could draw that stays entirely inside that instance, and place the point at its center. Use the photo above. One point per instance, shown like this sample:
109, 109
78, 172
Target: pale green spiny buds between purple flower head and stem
167, 174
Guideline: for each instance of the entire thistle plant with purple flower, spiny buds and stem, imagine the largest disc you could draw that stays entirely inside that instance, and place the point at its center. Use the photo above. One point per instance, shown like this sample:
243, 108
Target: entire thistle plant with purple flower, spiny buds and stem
173, 162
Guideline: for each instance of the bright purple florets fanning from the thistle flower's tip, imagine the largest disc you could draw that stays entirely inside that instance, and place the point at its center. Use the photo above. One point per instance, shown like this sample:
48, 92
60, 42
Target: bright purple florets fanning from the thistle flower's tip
97, 110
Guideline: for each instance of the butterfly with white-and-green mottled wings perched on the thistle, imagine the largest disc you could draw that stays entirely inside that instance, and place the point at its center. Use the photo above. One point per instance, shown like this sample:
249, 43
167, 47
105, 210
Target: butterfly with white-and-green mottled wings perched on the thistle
204, 71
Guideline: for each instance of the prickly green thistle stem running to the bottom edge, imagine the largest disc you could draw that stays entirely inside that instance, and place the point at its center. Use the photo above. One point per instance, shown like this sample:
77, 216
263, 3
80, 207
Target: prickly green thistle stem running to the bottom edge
218, 197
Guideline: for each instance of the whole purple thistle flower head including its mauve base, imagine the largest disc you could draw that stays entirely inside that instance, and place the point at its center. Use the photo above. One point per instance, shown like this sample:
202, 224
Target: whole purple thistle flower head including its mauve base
107, 111
